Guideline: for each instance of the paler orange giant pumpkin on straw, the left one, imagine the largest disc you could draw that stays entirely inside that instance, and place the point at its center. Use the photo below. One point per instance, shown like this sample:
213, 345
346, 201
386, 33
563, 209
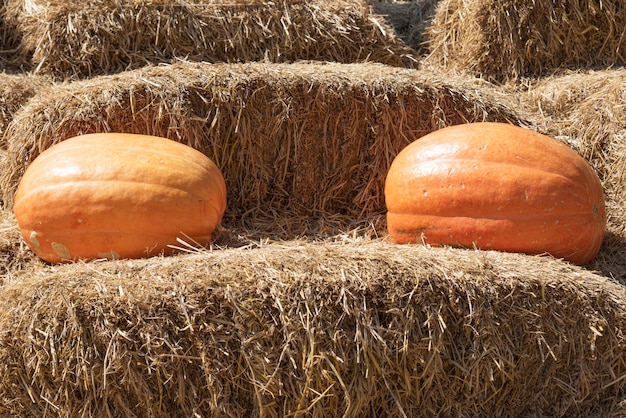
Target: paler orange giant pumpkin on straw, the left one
114, 195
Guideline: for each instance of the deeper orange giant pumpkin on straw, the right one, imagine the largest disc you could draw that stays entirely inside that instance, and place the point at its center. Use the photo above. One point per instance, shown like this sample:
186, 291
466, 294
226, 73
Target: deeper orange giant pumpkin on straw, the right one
495, 186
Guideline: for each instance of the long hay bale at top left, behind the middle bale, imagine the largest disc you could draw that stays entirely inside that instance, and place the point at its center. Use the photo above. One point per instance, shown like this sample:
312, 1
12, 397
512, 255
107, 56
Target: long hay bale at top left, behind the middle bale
70, 39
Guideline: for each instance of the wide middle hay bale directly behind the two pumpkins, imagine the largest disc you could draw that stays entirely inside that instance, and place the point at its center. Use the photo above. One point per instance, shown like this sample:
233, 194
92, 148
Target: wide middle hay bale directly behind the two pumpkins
306, 139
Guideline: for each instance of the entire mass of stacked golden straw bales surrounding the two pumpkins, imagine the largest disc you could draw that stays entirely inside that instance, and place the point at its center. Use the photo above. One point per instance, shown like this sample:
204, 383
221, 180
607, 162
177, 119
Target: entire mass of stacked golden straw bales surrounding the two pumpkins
302, 307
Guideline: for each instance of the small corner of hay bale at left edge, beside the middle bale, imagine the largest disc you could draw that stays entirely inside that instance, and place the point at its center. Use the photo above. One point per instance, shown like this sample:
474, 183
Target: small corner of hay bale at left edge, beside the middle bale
15, 90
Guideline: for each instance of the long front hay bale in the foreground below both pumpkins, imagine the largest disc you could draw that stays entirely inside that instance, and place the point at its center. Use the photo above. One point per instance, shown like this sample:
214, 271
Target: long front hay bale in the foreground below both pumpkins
330, 329
